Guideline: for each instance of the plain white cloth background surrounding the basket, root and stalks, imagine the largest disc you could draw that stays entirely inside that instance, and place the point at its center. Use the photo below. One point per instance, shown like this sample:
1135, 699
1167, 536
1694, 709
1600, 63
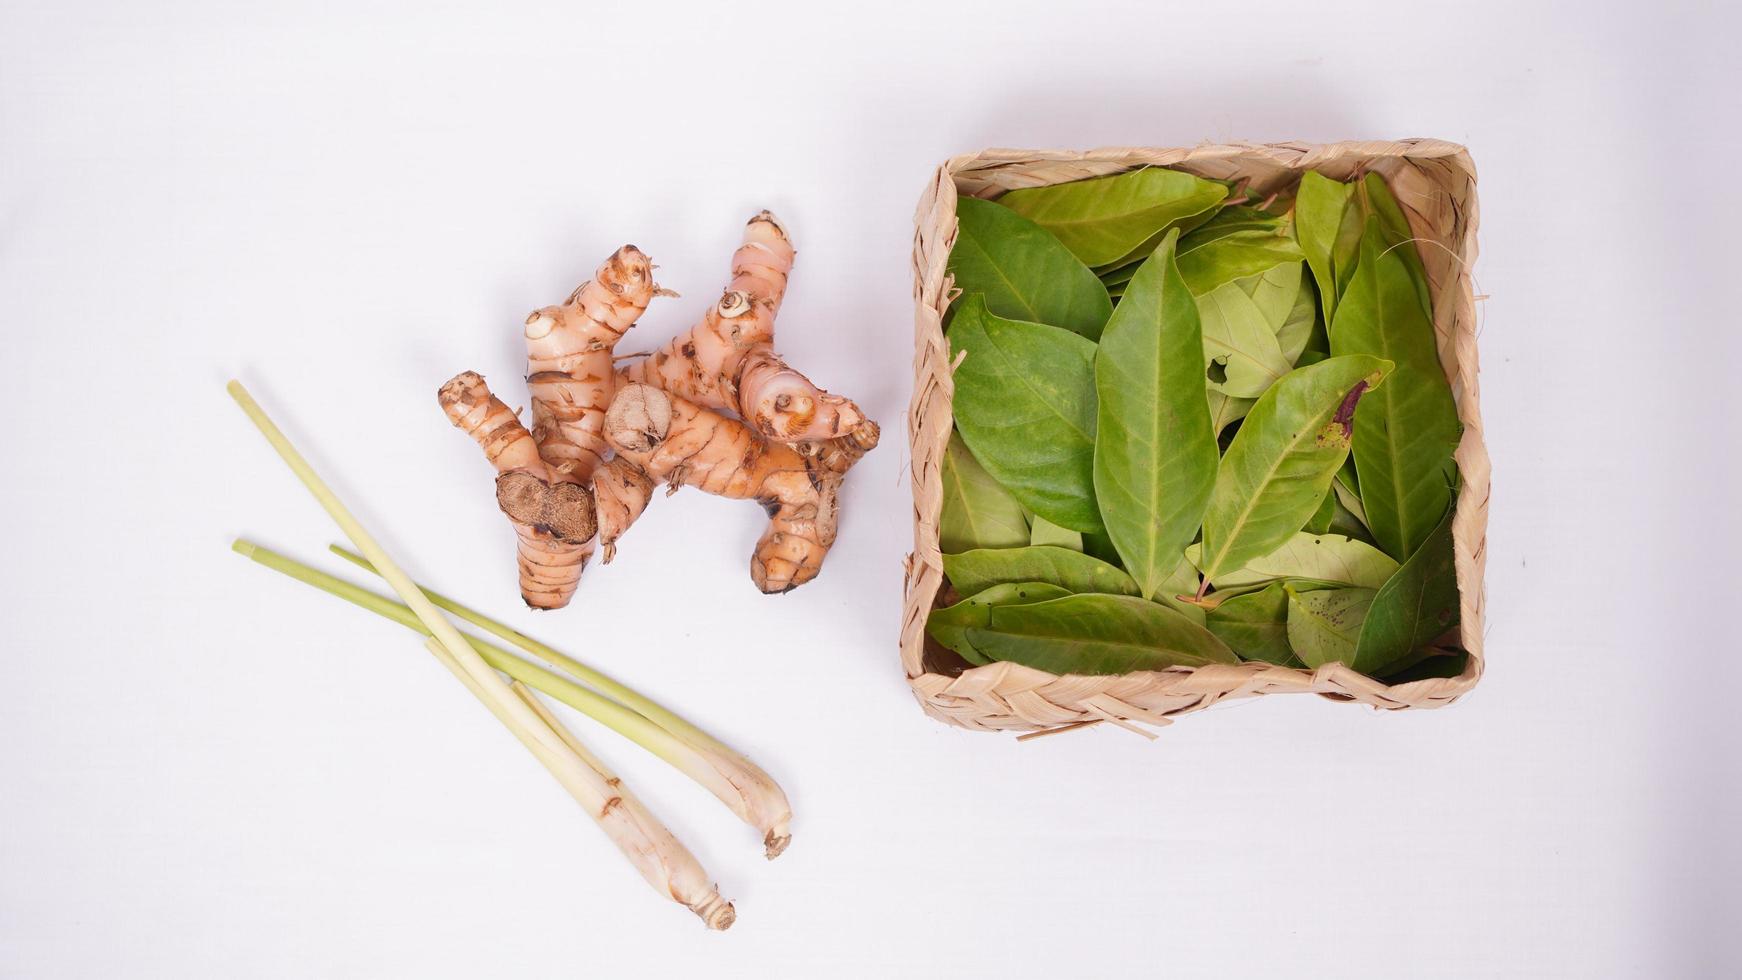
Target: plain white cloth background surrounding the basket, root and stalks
208, 770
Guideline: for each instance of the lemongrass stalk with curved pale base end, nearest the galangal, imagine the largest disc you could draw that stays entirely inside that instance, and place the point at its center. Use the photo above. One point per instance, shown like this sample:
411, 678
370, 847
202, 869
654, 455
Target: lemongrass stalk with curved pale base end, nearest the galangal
746, 788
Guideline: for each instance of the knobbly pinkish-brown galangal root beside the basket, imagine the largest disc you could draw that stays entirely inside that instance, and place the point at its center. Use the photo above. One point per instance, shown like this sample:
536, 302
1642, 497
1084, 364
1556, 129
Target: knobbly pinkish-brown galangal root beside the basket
604, 438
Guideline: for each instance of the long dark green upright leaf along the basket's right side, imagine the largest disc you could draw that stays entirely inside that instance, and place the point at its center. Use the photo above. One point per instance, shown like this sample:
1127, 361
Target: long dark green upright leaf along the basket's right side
1408, 431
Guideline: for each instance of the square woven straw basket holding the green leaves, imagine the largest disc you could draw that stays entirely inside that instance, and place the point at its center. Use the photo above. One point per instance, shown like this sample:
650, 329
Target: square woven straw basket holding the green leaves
1435, 184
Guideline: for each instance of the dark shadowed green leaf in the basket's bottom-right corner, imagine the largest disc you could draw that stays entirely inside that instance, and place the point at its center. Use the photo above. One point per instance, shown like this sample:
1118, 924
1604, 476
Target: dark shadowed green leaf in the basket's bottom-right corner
1414, 608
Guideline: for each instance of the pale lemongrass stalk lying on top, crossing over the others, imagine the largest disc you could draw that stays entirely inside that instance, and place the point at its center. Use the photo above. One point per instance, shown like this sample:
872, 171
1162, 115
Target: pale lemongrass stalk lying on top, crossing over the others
583, 782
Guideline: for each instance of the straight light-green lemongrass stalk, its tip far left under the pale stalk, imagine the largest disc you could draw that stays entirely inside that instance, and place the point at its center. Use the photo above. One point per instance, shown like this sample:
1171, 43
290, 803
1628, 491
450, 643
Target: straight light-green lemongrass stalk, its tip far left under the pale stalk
628, 723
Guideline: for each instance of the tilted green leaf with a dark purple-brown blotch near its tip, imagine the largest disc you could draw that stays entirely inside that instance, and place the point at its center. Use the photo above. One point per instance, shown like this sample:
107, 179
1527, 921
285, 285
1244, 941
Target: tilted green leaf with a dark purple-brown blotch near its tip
1283, 460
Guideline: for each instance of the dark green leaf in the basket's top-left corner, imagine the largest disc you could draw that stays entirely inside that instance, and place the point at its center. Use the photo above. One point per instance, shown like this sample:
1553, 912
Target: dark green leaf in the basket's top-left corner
1023, 272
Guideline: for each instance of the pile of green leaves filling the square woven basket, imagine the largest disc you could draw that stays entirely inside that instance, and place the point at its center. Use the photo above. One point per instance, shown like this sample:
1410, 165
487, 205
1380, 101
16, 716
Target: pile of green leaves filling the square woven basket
1196, 427
